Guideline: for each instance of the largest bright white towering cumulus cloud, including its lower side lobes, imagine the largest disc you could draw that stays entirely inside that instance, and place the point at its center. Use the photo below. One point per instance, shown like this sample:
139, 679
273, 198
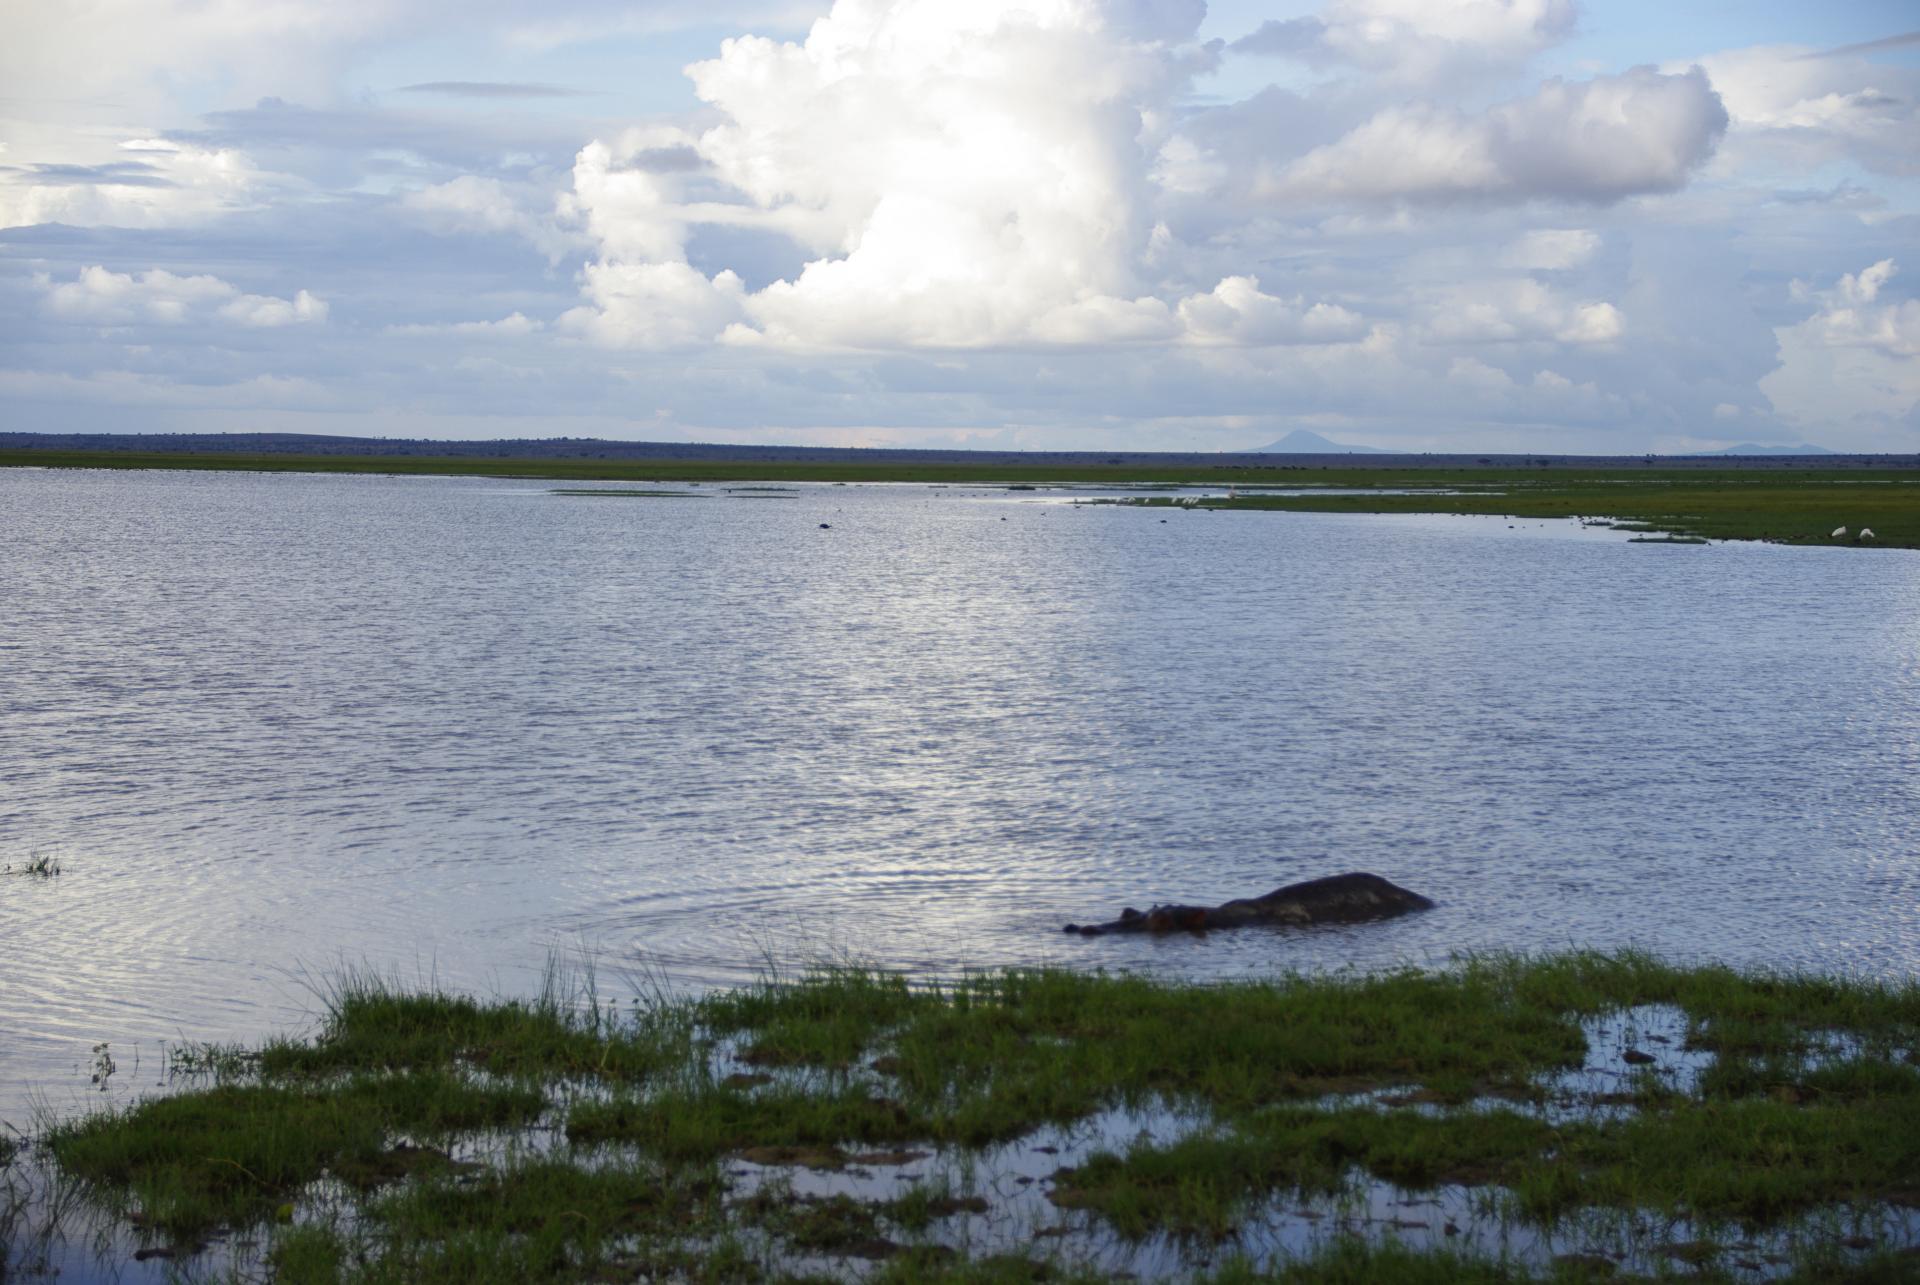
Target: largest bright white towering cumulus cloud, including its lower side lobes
974, 176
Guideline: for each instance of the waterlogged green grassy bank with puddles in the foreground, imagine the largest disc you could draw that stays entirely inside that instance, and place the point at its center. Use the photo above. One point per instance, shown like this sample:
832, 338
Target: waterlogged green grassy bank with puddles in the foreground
1627, 1115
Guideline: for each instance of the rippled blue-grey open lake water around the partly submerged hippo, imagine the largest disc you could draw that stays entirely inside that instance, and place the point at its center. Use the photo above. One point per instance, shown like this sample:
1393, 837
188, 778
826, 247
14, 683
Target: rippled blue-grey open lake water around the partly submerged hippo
444, 727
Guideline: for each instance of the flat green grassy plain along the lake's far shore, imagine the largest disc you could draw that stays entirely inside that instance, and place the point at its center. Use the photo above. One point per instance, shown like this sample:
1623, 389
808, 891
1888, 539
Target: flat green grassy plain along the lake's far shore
1790, 506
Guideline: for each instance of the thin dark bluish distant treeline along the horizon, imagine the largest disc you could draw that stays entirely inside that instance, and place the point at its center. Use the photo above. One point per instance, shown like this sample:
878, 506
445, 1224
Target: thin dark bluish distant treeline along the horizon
312, 445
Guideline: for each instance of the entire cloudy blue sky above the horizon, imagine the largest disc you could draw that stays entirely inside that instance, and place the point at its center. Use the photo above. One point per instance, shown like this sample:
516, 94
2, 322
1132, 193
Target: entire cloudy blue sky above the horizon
1431, 226
